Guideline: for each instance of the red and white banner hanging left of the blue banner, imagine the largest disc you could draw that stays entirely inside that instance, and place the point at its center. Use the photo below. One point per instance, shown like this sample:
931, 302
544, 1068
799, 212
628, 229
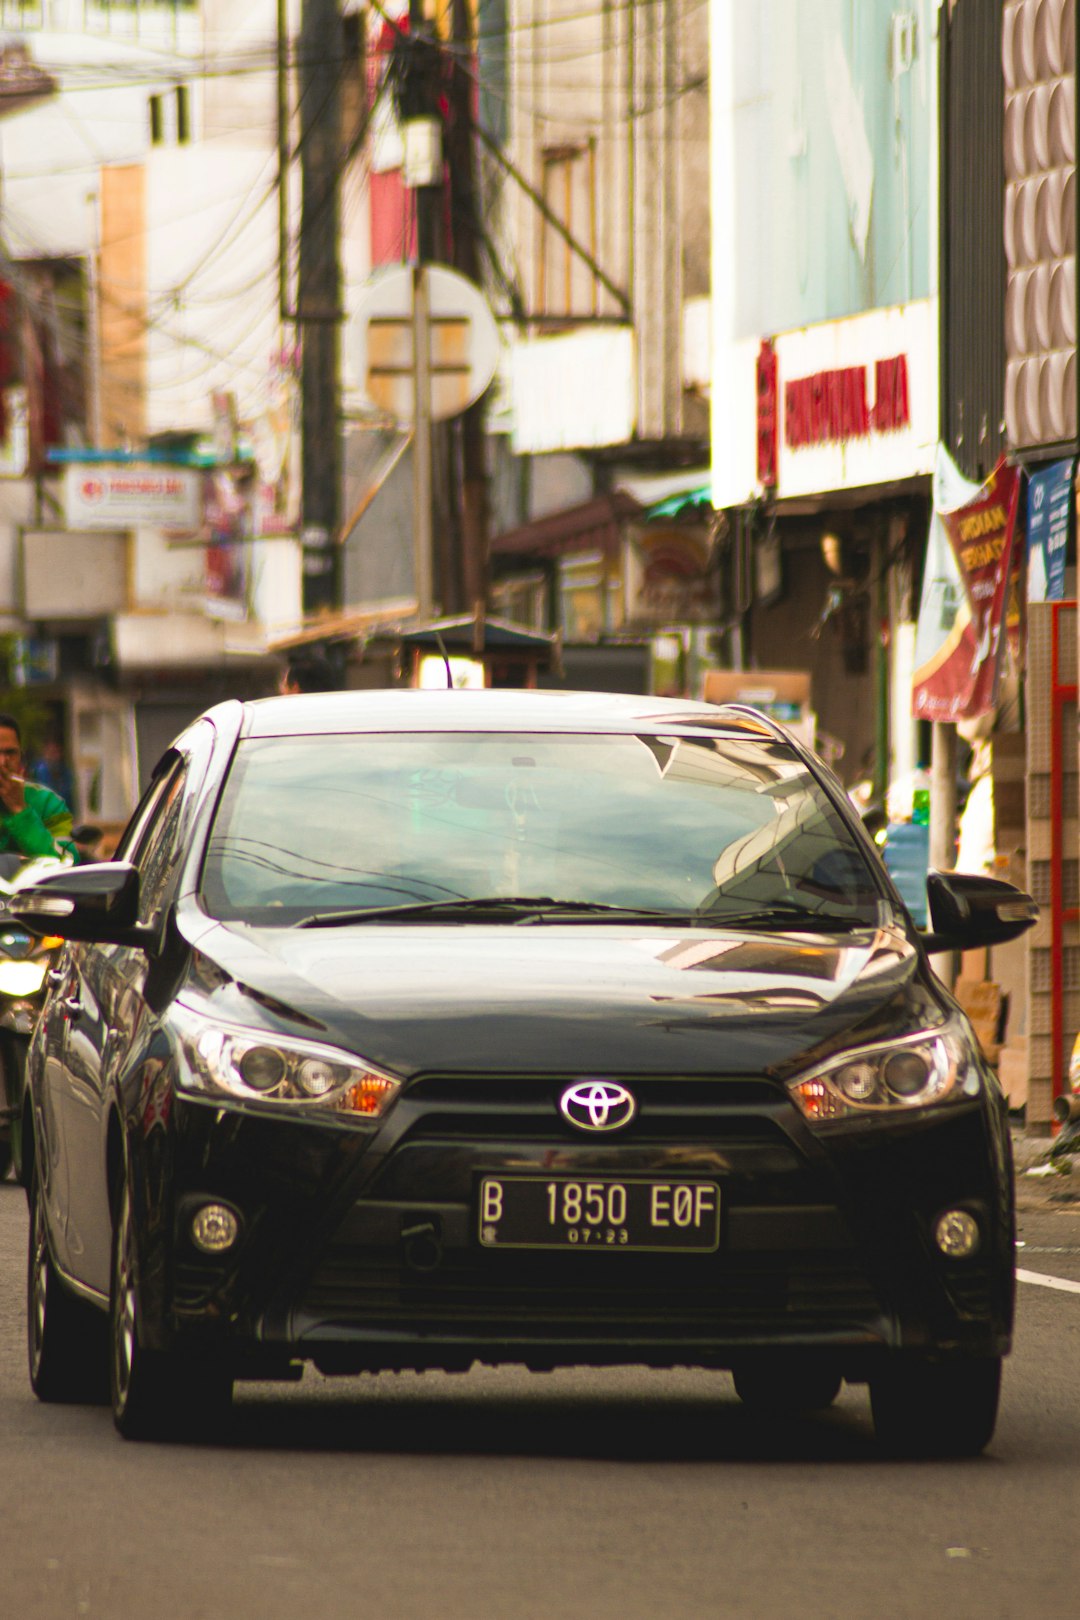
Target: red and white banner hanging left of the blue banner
959, 665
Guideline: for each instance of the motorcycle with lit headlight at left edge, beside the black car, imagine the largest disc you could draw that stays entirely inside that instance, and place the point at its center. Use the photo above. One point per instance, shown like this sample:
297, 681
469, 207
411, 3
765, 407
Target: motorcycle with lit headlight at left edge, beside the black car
25, 965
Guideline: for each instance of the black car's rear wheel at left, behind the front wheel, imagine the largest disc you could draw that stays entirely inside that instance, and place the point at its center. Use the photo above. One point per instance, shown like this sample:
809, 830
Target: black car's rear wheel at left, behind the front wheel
66, 1337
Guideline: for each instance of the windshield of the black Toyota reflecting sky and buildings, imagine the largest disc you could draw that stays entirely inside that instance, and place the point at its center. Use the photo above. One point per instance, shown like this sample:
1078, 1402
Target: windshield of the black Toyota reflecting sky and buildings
708, 827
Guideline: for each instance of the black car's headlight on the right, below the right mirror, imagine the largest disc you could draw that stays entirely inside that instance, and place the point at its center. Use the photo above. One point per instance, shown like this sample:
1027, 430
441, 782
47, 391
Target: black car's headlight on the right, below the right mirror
893, 1076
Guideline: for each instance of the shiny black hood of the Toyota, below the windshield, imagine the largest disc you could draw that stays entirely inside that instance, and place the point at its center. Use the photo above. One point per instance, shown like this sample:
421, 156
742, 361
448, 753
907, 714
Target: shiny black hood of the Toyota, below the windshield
587, 999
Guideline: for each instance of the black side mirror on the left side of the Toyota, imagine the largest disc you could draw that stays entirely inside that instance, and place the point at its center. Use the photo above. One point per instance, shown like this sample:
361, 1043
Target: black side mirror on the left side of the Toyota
96, 903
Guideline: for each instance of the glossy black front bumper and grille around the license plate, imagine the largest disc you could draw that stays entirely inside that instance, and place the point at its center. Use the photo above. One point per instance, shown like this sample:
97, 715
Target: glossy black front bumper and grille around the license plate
362, 1251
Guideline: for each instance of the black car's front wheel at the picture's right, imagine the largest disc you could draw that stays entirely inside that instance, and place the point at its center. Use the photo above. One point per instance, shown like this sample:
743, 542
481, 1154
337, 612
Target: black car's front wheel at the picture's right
937, 1409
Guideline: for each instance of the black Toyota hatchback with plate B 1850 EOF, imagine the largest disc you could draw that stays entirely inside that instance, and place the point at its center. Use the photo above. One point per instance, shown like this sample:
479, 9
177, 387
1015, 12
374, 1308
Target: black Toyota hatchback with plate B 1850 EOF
415, 1030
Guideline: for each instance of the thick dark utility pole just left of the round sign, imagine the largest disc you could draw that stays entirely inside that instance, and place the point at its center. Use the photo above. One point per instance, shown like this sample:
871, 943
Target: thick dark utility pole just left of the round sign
320, 299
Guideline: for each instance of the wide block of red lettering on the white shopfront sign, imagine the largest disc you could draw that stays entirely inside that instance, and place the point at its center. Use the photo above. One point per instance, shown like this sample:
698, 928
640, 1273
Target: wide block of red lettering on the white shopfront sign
831, 407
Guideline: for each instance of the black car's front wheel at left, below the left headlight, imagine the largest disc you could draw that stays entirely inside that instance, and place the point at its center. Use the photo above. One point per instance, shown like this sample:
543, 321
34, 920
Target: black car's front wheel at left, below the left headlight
155, 1394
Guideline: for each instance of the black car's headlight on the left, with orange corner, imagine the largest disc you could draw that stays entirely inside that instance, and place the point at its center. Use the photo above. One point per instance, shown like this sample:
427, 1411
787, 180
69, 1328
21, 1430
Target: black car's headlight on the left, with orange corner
239, 1064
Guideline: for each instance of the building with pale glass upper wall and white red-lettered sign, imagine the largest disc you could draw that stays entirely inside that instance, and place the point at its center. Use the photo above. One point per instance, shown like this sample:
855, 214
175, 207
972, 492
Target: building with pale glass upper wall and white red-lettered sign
825, 349
